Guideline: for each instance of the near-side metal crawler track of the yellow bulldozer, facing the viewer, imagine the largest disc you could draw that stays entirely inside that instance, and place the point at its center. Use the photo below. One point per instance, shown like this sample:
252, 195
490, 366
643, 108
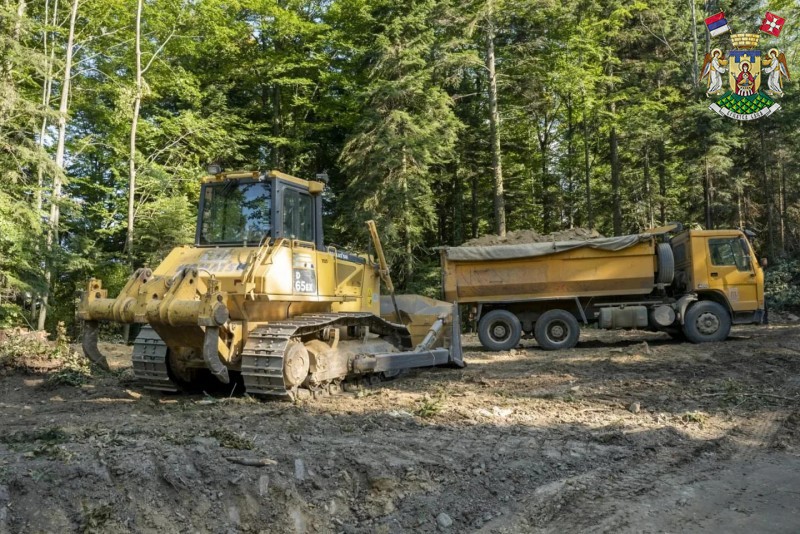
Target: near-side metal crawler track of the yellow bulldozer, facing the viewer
263, 354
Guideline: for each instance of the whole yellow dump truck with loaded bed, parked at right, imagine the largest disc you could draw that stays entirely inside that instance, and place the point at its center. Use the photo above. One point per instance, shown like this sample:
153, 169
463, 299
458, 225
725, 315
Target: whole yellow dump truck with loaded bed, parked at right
695, 284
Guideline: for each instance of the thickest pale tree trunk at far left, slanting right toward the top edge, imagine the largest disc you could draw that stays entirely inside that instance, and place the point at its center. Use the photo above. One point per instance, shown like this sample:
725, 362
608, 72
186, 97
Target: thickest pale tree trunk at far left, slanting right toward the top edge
52, 234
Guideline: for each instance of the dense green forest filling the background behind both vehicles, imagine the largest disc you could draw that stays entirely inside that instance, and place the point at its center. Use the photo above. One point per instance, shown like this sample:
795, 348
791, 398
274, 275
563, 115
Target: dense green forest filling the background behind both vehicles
442, 120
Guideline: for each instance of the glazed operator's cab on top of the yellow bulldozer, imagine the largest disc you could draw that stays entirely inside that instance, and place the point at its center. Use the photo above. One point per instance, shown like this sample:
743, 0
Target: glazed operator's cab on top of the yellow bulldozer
251, 208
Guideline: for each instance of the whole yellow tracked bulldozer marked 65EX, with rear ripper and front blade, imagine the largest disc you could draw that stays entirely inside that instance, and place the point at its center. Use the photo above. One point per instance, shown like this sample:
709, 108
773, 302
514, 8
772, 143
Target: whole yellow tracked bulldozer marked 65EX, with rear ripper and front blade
259, 293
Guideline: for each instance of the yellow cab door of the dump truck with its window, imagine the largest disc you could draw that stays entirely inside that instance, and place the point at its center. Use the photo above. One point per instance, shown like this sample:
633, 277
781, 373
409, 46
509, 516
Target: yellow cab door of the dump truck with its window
731, 272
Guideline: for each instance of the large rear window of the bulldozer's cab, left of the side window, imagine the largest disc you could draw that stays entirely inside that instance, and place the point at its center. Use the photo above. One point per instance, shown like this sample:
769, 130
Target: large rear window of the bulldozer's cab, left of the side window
236, 212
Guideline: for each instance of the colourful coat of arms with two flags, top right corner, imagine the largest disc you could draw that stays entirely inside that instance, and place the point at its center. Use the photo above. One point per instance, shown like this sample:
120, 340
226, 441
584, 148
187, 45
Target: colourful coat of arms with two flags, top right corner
746, 95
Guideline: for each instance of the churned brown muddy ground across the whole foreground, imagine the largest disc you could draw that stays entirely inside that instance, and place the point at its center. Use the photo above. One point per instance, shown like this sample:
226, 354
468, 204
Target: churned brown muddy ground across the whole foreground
616, 435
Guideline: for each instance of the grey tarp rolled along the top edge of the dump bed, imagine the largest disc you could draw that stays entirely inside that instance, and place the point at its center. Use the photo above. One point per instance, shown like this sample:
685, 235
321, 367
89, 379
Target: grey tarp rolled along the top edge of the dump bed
529, 250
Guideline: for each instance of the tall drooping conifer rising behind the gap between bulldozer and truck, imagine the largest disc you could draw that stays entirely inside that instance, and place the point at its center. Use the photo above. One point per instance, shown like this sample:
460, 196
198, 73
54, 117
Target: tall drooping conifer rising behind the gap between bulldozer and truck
408, 127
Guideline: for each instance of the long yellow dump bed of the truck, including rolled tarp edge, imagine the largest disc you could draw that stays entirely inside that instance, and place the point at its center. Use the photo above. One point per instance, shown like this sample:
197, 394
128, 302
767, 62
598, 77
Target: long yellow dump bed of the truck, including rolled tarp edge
624, 265
